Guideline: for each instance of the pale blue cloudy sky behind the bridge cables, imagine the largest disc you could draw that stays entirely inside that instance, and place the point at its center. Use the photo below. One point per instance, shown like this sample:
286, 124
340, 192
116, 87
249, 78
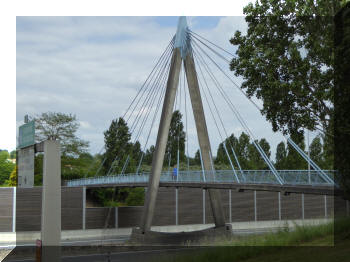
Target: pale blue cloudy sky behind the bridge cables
94, 66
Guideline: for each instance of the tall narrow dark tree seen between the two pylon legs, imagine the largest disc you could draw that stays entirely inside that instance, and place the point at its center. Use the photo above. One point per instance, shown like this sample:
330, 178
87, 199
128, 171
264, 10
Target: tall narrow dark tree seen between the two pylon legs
176, 140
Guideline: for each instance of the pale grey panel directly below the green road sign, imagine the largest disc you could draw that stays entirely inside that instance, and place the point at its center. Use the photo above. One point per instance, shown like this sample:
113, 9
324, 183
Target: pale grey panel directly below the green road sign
26, 167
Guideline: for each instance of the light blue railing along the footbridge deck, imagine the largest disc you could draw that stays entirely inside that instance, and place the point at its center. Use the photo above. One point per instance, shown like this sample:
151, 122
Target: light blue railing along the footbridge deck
290, 177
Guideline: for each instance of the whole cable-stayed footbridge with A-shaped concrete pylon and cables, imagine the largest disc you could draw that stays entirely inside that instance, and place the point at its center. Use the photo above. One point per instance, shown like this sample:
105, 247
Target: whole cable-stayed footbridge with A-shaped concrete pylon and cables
185, 72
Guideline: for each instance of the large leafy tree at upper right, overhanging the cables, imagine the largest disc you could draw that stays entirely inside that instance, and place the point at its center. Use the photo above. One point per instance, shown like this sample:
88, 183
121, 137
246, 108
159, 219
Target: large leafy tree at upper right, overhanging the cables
286, 60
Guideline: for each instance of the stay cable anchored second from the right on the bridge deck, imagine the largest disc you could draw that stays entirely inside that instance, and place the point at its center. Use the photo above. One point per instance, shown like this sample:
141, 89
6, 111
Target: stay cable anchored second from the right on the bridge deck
240, 119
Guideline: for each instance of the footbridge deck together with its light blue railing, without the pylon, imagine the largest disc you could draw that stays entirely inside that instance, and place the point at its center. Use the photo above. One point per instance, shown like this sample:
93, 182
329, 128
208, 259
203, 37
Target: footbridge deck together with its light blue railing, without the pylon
294, 181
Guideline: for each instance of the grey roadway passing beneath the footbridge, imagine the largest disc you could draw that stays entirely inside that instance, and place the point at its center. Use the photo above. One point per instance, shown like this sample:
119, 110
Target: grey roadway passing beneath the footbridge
80, 245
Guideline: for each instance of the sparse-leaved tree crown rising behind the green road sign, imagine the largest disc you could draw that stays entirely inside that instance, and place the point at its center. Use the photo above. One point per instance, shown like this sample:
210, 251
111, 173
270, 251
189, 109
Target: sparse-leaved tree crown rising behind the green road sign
62, 127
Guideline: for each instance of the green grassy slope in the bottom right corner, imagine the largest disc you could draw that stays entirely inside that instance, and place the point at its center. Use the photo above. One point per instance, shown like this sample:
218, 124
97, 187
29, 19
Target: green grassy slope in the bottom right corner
284, 245
